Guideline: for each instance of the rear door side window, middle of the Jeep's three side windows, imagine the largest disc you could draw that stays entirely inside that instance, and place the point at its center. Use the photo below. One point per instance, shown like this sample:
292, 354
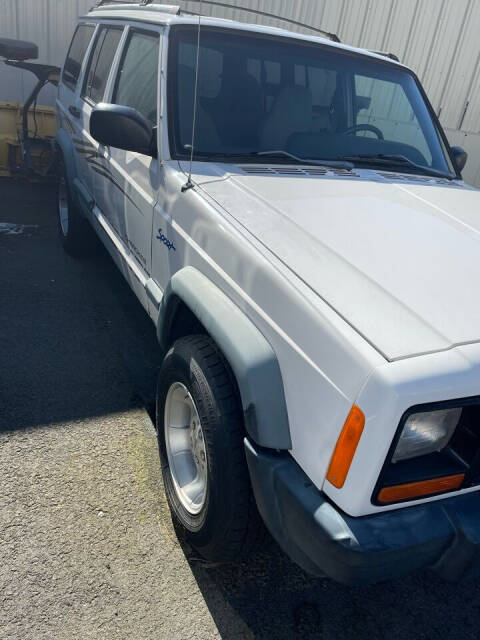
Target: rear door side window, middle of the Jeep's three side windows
101, 60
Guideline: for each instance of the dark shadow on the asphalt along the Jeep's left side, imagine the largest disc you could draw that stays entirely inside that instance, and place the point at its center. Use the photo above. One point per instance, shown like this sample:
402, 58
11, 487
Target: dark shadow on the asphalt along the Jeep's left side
74, 340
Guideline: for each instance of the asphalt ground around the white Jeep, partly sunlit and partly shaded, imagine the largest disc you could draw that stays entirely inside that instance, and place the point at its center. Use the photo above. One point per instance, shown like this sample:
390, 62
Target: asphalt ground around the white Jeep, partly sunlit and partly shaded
87, 548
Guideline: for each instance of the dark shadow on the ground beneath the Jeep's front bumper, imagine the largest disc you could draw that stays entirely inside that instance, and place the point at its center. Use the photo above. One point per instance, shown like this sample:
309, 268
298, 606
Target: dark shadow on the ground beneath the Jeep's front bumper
270, 597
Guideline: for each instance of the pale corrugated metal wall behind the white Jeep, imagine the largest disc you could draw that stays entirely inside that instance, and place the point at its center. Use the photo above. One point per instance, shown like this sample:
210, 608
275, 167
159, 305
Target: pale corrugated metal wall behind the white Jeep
438, 38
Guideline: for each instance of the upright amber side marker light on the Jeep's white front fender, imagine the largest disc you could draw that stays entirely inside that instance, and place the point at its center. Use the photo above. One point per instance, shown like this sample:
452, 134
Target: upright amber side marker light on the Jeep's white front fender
346, 447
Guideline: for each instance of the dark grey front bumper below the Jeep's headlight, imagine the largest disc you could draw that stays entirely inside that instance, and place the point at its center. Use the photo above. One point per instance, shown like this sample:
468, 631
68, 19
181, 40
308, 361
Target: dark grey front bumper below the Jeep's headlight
442, 535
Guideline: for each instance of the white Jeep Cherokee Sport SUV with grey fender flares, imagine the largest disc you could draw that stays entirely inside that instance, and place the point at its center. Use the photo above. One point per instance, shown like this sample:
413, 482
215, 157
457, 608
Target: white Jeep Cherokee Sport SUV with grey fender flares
290, 214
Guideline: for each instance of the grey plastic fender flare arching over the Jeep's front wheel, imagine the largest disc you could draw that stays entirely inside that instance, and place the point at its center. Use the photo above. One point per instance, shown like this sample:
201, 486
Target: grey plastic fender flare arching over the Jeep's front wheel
250, 356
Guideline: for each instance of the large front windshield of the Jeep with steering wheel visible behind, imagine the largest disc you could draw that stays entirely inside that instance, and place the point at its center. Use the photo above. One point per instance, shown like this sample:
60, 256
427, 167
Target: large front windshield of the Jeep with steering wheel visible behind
261, 95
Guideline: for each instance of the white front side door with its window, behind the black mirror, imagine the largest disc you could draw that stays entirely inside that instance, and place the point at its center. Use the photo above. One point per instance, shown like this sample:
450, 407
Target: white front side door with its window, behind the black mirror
126, 189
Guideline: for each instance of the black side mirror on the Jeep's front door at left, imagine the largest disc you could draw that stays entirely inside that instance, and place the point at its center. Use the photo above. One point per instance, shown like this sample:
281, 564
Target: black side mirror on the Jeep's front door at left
123, 128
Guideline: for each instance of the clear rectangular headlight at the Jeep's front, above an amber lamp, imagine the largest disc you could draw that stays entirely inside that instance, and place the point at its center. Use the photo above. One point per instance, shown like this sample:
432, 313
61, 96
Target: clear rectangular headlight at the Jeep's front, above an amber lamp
426, 432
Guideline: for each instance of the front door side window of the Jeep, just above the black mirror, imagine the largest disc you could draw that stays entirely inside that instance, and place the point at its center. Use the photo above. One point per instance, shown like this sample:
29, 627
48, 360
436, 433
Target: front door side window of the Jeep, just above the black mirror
137, 79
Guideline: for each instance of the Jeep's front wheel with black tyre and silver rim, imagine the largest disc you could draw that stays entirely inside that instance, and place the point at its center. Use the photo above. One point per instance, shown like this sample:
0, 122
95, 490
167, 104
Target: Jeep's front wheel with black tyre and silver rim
200, 432
